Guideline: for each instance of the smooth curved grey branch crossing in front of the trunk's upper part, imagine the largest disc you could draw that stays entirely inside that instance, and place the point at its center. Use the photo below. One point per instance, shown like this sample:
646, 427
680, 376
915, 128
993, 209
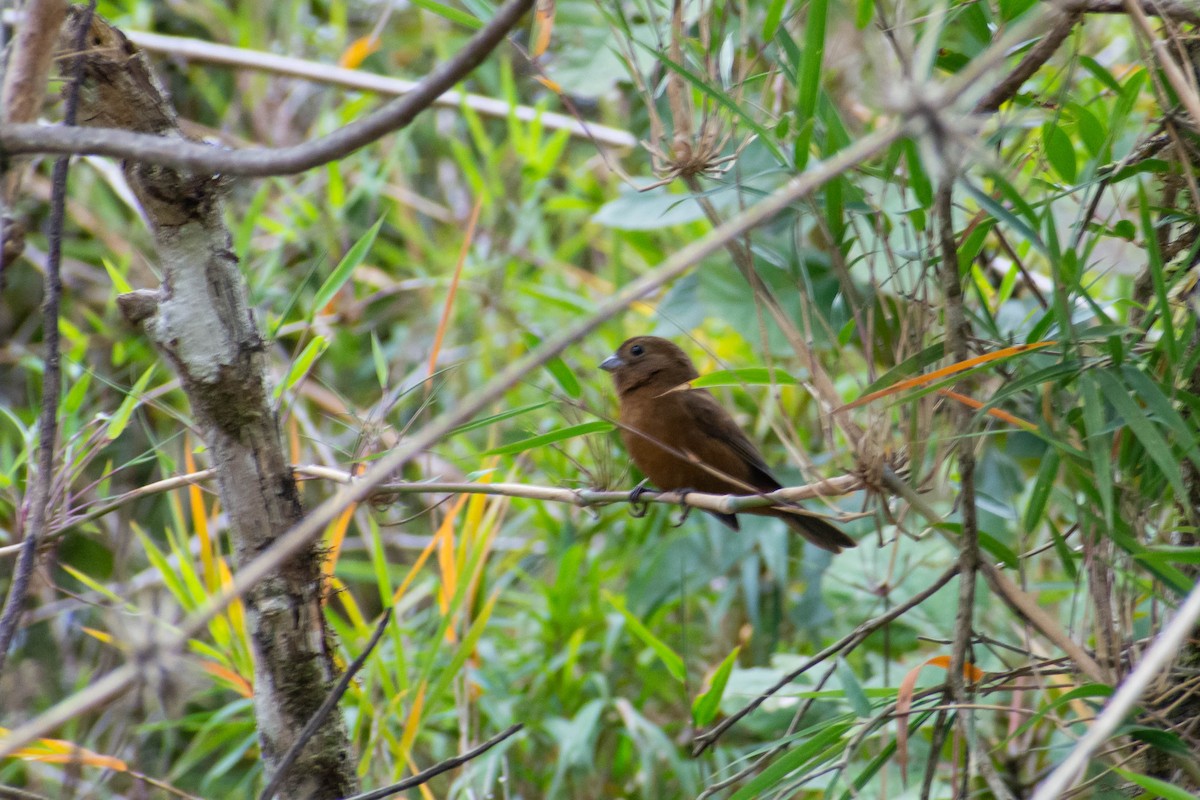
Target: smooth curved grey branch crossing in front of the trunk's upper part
285, 161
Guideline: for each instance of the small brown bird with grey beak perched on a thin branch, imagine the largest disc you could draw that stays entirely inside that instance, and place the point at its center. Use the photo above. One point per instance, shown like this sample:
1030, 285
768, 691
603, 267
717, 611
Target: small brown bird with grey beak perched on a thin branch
685, 441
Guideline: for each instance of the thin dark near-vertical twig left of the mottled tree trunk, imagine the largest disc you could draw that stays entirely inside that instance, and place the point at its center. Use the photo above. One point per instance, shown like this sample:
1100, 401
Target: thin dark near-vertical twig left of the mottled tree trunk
52, 380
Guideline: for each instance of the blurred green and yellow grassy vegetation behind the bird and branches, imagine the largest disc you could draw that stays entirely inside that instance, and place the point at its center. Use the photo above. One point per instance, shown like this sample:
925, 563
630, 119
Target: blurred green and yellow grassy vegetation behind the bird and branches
482, 234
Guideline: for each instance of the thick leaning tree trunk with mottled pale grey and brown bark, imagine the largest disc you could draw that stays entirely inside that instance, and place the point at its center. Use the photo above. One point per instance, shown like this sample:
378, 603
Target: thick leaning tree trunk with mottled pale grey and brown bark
201, 322
